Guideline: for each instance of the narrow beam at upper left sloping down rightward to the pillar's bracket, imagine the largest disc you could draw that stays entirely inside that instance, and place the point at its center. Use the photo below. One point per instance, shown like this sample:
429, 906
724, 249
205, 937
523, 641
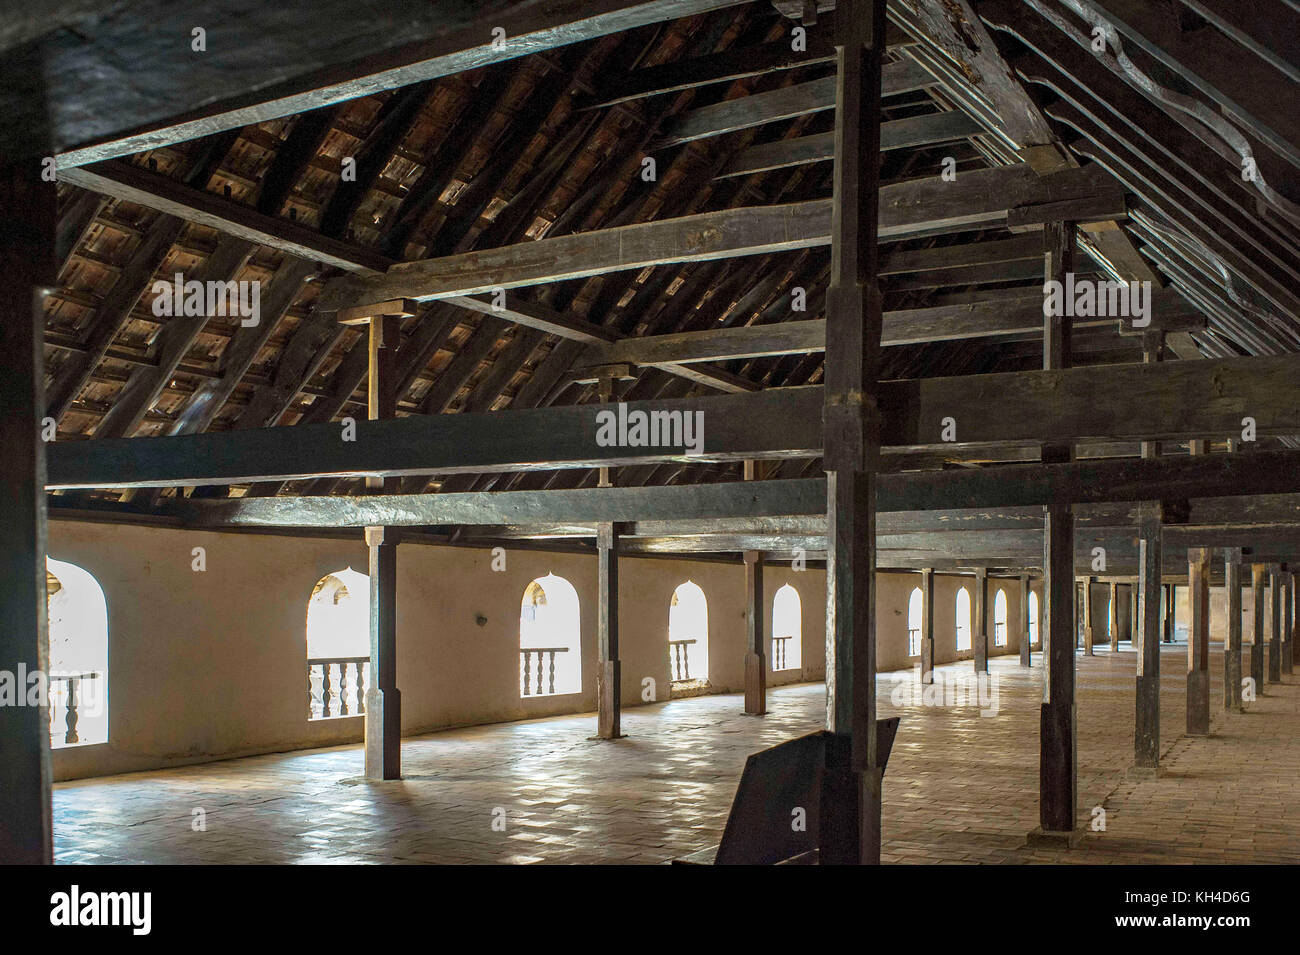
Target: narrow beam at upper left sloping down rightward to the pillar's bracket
133, 184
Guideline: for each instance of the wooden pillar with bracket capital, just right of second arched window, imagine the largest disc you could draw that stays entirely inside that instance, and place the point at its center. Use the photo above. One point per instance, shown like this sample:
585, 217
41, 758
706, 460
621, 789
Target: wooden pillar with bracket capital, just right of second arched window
383, 698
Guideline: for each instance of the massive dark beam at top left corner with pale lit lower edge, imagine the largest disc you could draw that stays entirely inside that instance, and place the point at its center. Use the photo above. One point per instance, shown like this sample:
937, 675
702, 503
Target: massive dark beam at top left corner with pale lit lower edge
241, 80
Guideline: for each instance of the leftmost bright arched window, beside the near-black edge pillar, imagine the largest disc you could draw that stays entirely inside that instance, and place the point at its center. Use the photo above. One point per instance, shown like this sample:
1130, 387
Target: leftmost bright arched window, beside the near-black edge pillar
79, 657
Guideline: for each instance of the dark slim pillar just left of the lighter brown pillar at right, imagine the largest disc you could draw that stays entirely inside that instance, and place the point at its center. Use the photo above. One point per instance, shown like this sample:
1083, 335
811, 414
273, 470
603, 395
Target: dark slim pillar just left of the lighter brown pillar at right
1147, 639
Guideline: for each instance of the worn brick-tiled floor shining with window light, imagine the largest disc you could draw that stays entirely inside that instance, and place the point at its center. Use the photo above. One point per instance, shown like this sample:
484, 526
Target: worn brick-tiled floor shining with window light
960, 788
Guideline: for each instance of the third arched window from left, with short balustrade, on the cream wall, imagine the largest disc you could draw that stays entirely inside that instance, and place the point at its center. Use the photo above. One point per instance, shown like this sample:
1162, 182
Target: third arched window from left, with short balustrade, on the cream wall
551, 640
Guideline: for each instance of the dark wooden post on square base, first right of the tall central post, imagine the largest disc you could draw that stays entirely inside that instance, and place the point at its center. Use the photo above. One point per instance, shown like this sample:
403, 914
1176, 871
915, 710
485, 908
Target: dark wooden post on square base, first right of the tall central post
1058, 752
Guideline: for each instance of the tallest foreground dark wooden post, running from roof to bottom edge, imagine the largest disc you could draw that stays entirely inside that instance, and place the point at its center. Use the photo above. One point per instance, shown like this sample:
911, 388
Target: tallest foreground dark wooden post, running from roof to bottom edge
851, 800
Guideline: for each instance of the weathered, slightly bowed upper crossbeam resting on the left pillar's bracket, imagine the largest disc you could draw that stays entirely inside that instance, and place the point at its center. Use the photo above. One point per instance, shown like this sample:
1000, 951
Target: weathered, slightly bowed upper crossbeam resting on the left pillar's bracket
908, 209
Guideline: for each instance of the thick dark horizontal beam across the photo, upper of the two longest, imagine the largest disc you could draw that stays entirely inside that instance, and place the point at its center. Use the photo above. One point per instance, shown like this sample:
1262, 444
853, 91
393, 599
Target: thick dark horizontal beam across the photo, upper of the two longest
1128, 402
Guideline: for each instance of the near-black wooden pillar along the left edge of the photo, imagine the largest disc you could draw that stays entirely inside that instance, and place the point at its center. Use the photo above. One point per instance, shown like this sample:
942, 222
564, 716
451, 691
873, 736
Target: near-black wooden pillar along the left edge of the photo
28, 268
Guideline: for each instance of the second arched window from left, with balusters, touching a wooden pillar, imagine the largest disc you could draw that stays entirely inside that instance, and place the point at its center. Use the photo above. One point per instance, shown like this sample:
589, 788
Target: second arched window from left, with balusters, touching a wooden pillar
339, 645
